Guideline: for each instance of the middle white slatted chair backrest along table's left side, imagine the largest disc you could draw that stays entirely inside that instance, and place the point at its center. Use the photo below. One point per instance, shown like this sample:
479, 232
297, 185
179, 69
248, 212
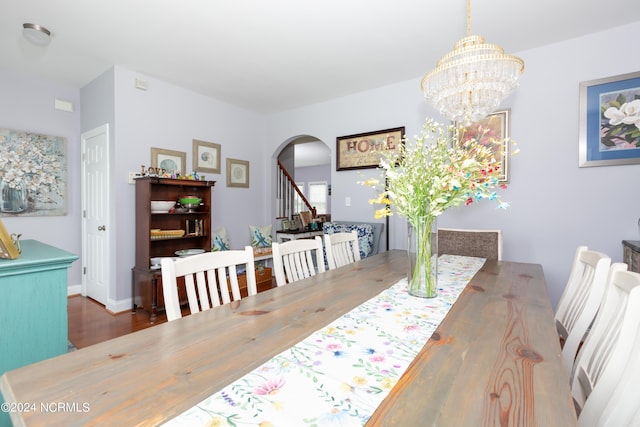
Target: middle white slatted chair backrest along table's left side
294, 260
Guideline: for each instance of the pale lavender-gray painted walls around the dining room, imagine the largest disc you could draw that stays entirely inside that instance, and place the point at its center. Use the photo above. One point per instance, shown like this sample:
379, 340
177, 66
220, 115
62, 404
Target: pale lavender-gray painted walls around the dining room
556, 206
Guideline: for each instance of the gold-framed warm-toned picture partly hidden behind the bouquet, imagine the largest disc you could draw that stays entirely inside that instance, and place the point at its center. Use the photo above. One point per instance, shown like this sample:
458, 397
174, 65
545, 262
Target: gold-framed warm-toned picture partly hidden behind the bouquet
493, 131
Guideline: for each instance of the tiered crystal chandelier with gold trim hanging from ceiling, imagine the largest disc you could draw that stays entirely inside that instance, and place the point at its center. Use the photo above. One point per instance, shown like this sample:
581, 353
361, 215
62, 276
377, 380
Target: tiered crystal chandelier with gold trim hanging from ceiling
469, 82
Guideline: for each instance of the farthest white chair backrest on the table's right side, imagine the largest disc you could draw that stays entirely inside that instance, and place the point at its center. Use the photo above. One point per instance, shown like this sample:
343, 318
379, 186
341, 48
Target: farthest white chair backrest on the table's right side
580, 300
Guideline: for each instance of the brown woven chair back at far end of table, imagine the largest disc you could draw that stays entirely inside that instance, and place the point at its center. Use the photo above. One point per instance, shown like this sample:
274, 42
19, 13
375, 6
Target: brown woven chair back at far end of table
476, 243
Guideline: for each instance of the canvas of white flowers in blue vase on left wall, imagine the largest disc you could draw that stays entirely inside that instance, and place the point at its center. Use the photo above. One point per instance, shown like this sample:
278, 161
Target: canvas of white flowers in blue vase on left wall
33, 174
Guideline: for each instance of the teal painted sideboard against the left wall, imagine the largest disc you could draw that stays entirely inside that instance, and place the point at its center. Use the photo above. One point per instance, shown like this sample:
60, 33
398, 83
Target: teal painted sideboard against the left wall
33, 305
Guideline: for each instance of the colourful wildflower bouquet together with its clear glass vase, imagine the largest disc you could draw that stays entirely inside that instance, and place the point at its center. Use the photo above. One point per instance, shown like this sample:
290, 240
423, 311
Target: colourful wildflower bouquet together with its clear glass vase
441, 168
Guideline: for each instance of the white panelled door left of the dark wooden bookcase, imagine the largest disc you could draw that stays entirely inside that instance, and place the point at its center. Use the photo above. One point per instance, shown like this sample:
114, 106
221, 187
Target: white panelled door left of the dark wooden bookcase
96, 228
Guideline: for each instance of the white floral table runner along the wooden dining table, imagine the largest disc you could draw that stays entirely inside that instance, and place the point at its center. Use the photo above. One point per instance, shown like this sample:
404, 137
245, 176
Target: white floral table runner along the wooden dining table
341, 373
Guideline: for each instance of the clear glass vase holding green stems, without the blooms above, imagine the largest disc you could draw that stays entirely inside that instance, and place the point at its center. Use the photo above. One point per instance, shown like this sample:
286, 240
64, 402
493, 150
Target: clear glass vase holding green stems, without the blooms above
423, 257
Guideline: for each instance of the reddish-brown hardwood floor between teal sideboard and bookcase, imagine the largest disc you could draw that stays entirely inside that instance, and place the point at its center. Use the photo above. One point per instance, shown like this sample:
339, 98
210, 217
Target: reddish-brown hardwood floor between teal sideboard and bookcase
90, 323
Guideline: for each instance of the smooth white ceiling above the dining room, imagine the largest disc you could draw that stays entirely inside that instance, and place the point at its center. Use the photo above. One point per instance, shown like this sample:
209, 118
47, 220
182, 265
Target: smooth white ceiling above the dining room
270, 56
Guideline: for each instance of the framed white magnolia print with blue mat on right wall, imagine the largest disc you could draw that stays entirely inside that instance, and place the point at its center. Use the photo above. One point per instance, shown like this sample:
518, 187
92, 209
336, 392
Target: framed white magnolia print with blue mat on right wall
610, 121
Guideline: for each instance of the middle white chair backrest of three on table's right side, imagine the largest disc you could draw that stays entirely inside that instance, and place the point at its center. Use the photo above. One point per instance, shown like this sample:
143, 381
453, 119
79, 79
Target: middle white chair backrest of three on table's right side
601, 360
